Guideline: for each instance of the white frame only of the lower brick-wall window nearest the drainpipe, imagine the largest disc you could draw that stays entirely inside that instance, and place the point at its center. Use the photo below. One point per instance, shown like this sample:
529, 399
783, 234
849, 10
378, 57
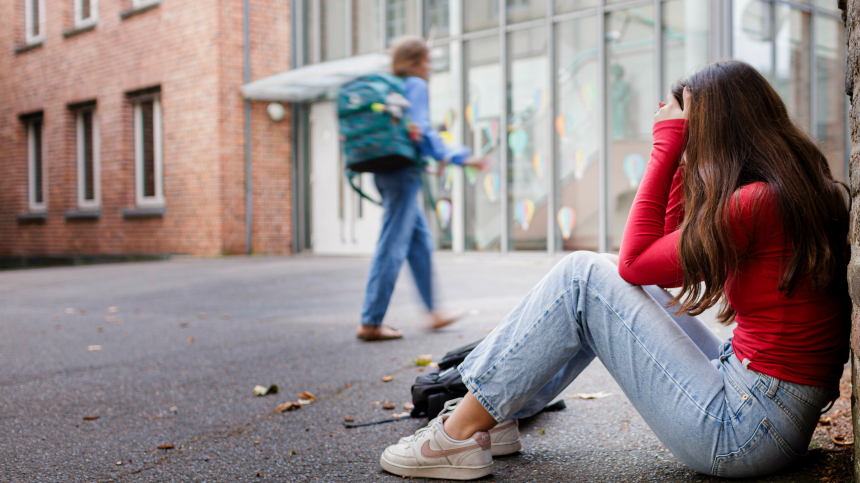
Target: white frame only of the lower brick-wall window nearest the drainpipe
141, 200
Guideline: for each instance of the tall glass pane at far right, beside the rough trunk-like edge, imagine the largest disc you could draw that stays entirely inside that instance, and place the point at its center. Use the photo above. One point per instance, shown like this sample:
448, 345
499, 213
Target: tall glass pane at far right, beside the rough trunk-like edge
831, 119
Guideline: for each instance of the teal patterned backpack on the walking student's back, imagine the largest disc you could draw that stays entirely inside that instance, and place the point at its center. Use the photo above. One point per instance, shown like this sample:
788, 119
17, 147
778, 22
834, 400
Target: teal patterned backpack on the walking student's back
372, 115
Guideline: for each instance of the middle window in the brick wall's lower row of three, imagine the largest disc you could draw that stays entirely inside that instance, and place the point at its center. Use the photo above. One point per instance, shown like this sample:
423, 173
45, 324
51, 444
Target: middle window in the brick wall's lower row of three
89, 168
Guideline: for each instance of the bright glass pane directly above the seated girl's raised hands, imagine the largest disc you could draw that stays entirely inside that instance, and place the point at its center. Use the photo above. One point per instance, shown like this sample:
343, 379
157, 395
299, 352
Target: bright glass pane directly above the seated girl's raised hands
685, 36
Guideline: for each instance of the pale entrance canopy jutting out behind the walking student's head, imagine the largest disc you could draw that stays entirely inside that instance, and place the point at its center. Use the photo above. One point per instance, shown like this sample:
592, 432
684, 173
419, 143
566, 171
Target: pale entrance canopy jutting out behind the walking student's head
313, 81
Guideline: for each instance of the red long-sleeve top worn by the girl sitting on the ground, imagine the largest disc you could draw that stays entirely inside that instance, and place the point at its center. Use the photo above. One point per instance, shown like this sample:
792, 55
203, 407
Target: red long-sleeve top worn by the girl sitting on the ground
802, 338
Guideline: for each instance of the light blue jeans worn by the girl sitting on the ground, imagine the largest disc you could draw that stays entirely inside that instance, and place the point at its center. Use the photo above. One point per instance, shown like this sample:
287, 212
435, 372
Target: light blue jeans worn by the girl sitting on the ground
712, 413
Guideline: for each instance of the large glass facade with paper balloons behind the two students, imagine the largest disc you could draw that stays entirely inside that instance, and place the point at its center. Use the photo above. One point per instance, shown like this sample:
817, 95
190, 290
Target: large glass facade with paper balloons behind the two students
559, 95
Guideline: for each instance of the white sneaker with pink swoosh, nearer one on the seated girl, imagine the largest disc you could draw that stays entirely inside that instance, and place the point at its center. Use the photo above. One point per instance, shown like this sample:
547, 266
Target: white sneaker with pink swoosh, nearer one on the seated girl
433, 454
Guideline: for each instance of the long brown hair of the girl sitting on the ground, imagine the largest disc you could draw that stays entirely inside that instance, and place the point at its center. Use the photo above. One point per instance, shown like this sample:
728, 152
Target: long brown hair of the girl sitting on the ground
740, 133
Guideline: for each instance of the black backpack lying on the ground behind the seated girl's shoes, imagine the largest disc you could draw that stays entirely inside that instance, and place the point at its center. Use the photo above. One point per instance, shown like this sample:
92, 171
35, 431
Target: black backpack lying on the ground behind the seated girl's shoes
432, 390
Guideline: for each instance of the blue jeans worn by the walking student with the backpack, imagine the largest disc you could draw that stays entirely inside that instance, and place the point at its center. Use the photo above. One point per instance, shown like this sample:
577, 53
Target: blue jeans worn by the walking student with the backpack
405, 236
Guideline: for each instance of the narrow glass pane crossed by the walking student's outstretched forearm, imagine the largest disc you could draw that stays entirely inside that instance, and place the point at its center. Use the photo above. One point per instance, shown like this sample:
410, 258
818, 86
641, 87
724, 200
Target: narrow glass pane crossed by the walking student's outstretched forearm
443, 118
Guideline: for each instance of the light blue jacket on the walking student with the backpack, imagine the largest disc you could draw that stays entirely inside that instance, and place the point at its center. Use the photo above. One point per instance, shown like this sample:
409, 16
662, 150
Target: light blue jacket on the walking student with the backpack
418, 113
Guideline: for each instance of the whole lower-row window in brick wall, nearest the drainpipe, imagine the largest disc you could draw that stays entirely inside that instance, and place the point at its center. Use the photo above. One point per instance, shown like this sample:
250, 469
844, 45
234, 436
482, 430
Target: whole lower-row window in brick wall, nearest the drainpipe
149, 189
